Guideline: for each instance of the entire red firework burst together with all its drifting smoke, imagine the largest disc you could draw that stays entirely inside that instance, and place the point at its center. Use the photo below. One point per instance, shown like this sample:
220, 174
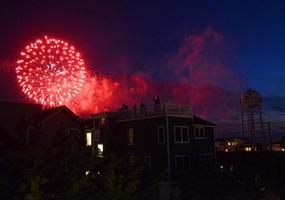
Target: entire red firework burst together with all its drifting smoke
195, 76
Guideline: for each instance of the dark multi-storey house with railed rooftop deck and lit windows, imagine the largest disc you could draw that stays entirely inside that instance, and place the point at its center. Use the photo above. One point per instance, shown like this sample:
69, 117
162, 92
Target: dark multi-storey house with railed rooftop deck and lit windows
169, 138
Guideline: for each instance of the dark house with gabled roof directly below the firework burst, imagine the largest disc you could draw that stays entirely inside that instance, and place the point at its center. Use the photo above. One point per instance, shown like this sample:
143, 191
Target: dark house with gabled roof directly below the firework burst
23, 125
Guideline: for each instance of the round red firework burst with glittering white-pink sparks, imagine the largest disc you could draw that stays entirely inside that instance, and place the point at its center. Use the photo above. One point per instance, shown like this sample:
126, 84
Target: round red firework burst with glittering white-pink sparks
51, 72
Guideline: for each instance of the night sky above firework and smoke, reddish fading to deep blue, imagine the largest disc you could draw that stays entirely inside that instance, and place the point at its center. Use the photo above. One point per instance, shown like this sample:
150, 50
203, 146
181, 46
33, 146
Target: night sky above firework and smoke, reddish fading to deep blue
146, 33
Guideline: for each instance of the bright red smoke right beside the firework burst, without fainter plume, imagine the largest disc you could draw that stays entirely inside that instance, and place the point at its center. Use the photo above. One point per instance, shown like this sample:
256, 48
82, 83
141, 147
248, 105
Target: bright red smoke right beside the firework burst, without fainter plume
105, 94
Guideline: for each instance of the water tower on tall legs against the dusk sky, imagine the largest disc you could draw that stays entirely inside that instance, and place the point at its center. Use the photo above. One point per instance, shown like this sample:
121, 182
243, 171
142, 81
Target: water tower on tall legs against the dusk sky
251, 114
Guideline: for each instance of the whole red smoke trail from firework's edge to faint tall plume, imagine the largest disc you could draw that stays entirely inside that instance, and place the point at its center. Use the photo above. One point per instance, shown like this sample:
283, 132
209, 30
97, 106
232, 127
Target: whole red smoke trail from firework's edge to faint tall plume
198, 77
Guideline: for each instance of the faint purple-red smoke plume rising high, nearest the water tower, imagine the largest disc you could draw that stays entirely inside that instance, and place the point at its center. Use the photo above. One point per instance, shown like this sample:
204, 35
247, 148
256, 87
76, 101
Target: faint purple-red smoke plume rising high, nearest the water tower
203, 80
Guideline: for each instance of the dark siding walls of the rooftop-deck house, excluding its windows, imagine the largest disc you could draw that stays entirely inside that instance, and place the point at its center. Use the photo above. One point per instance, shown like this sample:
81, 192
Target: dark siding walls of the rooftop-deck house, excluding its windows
115, 132
